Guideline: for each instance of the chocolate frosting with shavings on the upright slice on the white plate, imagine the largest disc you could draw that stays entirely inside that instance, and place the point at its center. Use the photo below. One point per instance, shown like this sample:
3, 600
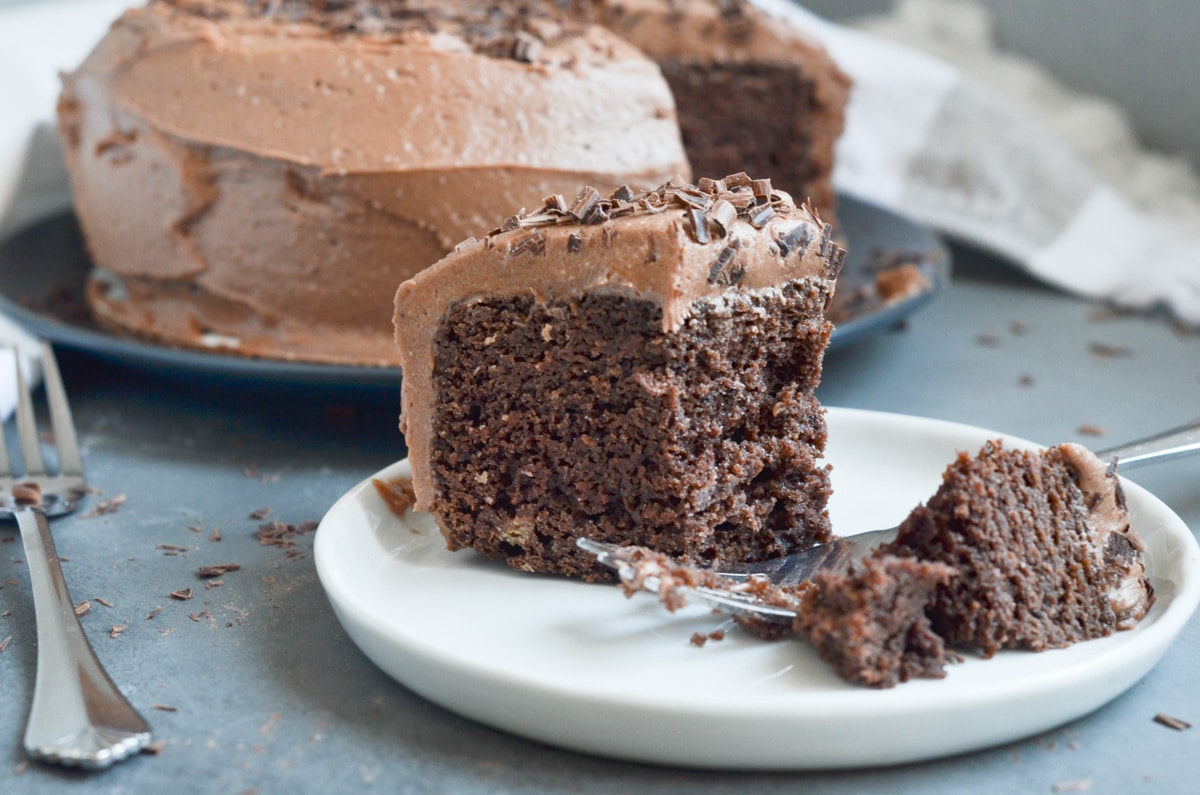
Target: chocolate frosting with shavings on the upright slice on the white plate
676, 246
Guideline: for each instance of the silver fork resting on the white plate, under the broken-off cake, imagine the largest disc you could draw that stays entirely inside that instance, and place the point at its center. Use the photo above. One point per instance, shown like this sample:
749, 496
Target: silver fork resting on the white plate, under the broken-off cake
736, 597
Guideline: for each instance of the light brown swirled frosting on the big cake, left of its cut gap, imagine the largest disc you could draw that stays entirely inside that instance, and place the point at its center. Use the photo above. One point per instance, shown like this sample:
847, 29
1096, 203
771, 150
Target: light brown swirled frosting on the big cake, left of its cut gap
261, 177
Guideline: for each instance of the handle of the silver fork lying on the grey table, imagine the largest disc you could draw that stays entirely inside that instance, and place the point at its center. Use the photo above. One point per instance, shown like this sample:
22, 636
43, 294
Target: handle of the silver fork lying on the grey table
79, 716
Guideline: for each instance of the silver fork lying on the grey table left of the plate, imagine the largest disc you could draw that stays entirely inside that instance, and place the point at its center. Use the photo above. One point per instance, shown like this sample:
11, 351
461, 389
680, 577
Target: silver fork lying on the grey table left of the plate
79, 718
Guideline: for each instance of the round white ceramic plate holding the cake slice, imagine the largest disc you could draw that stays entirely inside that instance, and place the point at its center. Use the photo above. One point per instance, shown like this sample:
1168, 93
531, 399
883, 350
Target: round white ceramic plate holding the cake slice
581, 667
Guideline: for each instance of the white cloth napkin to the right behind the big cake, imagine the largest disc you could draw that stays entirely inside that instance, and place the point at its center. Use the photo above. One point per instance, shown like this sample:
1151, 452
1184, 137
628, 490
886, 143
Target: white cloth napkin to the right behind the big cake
928, 142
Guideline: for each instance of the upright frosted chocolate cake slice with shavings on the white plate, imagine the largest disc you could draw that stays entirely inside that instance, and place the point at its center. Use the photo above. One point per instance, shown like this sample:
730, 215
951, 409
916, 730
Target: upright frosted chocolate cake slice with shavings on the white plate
637, 369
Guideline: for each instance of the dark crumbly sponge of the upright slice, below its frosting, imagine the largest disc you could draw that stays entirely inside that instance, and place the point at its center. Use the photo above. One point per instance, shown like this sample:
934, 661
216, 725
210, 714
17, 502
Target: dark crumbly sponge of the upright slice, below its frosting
584, 419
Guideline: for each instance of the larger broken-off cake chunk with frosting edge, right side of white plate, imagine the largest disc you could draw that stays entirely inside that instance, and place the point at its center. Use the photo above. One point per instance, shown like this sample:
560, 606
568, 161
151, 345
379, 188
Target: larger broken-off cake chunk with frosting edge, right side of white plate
1042, 546
